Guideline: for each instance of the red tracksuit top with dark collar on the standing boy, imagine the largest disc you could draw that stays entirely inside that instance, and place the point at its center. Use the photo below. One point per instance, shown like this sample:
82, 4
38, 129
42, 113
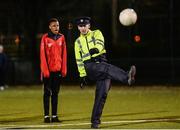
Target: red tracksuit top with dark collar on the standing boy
53, 54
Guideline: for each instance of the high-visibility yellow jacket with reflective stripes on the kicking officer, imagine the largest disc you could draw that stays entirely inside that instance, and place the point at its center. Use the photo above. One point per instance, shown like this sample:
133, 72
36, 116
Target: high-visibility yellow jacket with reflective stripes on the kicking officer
93, 39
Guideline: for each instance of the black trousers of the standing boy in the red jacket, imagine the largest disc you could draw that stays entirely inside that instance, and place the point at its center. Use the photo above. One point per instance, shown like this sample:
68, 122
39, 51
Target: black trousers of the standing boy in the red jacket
51, 90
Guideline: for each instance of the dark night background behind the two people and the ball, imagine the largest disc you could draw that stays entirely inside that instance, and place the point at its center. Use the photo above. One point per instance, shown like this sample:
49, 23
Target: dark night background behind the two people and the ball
156, 56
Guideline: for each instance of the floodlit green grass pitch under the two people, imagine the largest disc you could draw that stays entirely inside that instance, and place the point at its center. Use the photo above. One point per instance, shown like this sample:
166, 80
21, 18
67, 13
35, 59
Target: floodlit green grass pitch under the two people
148, 107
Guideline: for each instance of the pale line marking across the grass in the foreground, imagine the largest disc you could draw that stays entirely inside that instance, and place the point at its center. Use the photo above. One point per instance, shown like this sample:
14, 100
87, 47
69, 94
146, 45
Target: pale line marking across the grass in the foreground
81, 124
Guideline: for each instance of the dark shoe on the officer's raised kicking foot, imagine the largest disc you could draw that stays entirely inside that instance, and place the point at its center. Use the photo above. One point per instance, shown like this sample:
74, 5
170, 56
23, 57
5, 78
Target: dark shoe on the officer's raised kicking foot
131, 75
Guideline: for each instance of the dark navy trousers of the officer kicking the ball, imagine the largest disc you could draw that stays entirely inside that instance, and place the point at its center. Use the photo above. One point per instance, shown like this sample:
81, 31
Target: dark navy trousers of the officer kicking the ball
102, 73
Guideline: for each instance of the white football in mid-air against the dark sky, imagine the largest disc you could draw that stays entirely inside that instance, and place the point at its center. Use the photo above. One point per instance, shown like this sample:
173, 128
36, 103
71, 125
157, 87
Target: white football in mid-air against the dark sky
128, 17
